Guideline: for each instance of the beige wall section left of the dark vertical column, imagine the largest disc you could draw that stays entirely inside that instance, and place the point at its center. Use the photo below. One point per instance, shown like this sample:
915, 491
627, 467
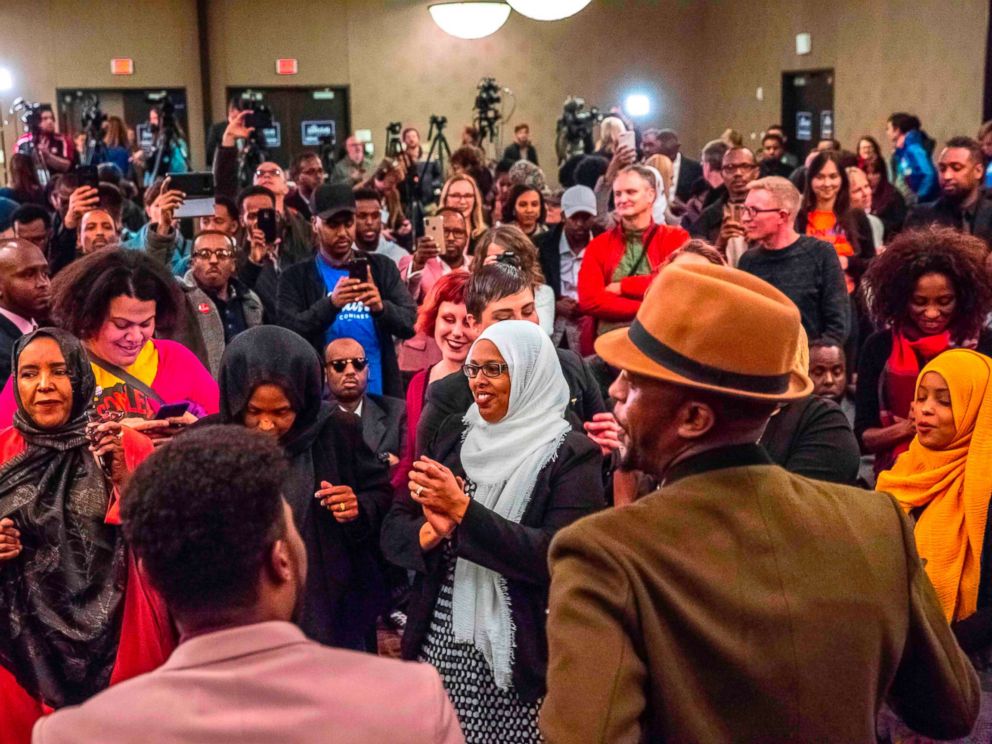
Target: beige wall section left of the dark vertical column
50, 44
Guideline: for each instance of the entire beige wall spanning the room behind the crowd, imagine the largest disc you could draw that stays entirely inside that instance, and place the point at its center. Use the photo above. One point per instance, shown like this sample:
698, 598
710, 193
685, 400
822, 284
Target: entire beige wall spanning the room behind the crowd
700, 59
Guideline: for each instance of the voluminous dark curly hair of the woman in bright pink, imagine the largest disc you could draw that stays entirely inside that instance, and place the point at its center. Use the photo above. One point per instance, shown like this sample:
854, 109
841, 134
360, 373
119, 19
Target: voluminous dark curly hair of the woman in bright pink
82, 292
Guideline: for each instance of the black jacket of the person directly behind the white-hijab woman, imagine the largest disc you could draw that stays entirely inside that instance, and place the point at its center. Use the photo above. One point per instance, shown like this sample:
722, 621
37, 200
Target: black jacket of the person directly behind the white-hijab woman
449, 399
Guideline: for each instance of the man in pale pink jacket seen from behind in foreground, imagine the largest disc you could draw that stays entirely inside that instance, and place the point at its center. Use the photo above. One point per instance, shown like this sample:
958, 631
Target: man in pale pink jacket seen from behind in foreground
205, 518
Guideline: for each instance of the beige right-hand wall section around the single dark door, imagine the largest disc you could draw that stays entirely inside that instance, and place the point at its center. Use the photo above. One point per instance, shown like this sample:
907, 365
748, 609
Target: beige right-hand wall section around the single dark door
926, 57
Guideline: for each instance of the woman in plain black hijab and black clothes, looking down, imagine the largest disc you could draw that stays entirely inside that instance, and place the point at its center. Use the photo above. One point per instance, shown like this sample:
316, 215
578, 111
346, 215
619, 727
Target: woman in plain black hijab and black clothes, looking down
270, 379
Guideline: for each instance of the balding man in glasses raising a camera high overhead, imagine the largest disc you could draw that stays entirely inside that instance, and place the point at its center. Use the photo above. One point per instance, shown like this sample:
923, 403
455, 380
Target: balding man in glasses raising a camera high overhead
295, 235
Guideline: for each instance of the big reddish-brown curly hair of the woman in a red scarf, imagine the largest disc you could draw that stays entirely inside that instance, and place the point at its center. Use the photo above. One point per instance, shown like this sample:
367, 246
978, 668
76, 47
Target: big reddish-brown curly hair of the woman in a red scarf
891, 278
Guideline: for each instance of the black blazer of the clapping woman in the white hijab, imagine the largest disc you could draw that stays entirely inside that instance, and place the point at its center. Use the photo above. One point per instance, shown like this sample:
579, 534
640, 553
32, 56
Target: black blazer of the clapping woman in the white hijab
567, 488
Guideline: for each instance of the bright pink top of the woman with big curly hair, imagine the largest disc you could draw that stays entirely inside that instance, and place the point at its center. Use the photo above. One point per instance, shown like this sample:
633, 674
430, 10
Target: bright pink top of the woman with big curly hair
180, 377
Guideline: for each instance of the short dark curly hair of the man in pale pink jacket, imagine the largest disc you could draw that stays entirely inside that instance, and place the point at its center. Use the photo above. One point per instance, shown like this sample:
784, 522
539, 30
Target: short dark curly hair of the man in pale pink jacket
202, 512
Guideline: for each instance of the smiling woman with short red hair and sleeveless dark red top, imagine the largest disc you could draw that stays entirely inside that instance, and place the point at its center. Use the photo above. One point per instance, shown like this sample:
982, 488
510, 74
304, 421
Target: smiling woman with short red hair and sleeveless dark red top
444, 318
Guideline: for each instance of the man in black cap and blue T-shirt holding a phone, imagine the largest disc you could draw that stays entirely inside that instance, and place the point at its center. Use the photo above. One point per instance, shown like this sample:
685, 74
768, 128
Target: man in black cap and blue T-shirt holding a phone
342, 293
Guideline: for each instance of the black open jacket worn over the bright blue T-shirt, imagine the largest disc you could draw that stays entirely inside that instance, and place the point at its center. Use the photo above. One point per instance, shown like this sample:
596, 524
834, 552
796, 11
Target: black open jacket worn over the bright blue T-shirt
304, 306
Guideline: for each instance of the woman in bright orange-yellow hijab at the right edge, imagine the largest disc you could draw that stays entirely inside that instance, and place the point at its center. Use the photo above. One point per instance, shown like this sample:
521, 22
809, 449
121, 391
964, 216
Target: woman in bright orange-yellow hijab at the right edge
945, 480
